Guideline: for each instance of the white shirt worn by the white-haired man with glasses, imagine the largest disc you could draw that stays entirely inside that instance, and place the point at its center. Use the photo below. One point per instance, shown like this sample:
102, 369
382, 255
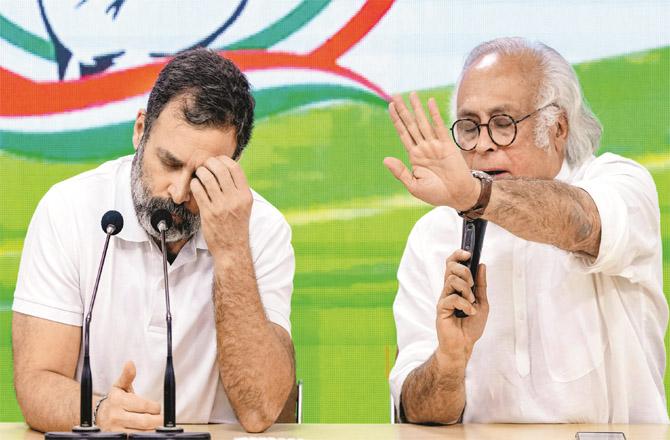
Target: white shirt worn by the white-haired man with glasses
568, 339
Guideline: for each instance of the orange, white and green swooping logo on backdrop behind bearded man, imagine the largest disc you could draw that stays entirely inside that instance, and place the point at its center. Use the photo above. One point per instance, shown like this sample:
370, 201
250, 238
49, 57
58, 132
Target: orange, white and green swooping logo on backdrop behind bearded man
103, 56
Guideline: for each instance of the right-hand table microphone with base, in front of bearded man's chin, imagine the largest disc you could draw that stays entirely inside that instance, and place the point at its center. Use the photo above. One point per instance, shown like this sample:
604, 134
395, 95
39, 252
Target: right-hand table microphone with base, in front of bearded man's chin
161, 220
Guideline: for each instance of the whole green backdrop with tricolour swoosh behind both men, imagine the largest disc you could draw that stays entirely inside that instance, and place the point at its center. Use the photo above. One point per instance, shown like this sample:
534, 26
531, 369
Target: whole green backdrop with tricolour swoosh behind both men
73, 74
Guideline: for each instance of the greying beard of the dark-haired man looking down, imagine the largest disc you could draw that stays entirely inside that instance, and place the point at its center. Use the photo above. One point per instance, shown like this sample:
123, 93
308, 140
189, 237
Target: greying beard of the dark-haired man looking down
145, 205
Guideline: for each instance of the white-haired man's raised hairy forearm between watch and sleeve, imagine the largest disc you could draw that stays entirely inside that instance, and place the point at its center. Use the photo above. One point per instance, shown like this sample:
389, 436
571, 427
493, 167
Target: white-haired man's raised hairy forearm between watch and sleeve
546, 211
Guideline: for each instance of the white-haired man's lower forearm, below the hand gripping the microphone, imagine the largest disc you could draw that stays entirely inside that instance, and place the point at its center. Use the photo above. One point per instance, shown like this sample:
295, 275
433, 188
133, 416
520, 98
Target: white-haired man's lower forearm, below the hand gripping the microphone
435, 391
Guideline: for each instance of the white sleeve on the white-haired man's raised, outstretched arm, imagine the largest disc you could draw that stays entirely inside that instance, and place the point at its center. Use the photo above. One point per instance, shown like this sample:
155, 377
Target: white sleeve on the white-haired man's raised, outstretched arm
627, 201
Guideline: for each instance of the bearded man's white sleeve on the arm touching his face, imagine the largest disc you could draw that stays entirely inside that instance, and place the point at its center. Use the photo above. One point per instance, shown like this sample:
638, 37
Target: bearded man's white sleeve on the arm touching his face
274, 264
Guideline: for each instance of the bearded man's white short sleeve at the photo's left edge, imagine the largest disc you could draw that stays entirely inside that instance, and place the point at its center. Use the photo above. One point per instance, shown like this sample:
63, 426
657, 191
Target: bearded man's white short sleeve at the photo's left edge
48, 282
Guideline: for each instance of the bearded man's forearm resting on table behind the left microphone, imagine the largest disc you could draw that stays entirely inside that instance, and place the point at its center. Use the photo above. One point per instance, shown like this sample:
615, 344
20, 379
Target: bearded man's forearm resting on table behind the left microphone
49, 401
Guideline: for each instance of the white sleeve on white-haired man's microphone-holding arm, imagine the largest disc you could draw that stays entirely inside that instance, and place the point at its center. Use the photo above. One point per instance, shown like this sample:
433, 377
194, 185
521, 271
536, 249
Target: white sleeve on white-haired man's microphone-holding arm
413, 310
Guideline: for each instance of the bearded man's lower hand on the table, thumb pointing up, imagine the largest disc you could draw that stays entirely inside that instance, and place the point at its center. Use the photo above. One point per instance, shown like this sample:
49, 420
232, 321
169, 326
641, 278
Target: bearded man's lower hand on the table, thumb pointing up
123, 410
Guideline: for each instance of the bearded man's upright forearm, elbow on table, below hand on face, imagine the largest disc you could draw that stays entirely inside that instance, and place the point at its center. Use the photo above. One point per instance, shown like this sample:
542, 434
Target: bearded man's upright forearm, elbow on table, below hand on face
256, 366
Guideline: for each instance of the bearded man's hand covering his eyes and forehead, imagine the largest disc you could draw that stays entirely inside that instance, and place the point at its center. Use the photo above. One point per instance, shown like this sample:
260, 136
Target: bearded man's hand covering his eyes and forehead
224, 200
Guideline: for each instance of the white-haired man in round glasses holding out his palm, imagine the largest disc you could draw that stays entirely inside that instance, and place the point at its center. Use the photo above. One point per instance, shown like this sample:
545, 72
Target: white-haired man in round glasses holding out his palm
571, 328
